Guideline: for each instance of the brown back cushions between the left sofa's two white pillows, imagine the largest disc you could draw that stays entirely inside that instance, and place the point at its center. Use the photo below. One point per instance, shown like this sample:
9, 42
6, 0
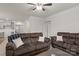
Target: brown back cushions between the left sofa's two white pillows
30, 37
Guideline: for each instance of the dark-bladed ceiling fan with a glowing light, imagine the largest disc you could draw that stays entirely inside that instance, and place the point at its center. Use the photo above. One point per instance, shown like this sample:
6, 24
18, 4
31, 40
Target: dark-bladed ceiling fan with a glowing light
40, 6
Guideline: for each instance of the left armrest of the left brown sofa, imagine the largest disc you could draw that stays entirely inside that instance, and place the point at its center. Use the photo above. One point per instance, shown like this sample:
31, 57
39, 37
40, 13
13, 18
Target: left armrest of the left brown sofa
10, 47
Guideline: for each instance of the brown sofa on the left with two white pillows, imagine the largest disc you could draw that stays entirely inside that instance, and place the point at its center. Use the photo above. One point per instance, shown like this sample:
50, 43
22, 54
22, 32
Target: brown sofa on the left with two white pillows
31, 44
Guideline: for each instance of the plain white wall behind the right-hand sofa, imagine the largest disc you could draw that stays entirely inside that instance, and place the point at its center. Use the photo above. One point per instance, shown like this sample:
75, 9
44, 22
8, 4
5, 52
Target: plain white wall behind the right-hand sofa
66, 21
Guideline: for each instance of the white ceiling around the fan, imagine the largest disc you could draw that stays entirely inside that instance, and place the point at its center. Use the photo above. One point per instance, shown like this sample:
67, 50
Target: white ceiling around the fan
21, 11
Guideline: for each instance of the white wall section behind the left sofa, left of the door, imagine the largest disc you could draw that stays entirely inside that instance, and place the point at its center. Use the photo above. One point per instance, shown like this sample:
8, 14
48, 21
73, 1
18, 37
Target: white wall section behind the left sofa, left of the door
34, 24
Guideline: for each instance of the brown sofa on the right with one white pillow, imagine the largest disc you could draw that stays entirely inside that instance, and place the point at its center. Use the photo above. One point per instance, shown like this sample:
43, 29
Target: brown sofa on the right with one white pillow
69, 44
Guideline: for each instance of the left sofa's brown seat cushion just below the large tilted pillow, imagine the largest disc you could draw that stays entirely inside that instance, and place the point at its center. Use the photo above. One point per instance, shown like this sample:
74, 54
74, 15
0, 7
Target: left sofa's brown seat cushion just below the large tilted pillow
24, 49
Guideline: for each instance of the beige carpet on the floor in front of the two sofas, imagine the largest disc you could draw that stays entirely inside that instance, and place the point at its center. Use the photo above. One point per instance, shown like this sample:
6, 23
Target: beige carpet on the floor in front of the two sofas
54, 52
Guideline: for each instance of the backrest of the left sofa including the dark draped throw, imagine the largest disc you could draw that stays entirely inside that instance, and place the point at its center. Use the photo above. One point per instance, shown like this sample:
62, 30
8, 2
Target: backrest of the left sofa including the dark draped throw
27, 38
